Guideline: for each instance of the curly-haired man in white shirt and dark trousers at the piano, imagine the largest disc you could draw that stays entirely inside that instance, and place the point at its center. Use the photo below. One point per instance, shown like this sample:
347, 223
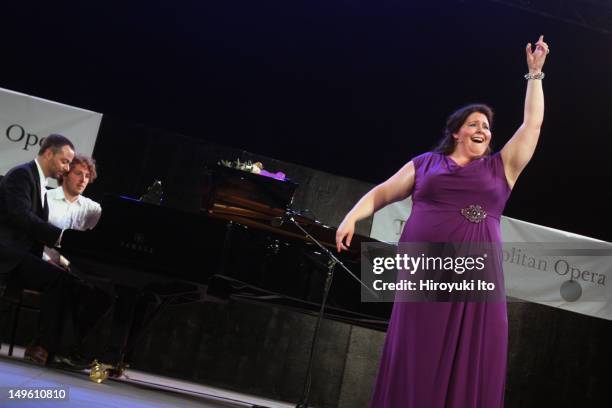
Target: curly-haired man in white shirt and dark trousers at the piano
88, 303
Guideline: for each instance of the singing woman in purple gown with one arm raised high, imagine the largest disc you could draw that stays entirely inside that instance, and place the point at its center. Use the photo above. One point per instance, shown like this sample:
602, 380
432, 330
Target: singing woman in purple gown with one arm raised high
453, 354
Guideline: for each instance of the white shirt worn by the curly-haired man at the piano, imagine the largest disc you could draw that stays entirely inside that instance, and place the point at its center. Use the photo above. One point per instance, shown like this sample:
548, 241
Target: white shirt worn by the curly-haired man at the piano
81, 214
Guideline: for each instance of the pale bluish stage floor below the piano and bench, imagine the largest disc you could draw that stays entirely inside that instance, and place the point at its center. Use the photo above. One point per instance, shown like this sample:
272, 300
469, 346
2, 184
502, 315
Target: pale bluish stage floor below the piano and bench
136, 390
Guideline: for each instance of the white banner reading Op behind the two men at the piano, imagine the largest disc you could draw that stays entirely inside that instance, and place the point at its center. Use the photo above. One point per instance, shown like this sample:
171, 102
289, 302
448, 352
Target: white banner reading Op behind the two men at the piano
25, 120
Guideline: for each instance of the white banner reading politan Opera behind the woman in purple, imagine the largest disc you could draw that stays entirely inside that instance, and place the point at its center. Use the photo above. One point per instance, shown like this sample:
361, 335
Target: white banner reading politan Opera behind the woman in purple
541, 265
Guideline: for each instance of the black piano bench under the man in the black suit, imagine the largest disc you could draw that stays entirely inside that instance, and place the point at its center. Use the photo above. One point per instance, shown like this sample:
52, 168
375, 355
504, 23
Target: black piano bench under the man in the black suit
17, 298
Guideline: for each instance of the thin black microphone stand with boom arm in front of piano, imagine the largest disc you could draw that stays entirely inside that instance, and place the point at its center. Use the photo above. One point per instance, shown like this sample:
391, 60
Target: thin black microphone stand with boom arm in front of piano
333, 261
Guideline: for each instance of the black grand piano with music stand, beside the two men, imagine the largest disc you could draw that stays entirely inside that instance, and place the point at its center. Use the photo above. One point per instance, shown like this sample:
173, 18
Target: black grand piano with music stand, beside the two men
241, 246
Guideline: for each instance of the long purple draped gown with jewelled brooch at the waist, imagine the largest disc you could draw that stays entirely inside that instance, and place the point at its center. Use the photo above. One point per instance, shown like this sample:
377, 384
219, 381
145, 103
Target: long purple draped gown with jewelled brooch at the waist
443, 355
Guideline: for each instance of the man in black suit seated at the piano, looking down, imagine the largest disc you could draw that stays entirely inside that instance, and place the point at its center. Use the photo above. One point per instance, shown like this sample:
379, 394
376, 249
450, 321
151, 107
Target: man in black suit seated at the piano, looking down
24, 231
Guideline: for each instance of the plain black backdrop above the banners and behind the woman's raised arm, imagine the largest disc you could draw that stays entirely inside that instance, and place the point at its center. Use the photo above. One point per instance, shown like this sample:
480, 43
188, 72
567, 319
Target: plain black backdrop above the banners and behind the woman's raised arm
353, 88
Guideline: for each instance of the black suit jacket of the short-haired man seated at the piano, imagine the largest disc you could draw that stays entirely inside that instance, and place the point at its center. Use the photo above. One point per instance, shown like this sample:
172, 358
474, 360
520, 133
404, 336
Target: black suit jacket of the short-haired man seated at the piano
23, 222
